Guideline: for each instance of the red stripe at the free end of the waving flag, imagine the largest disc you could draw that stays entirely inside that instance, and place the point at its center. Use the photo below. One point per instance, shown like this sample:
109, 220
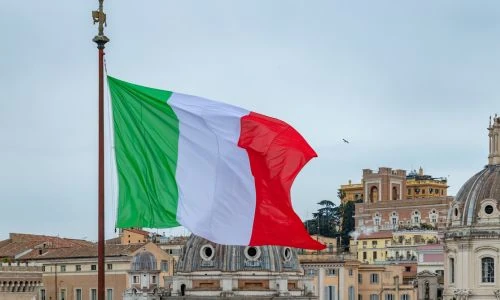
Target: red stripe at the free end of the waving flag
277, 153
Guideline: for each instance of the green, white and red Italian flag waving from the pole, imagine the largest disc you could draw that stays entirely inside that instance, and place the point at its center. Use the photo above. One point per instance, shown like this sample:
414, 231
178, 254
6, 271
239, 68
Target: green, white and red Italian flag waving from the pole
221, 171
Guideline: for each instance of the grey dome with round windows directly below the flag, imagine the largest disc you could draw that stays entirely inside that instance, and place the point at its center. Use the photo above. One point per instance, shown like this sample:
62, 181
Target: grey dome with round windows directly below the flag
201, 255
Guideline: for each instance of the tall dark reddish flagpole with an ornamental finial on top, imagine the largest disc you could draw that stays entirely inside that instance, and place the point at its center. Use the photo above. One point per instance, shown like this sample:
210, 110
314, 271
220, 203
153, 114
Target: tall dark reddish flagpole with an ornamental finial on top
100, 39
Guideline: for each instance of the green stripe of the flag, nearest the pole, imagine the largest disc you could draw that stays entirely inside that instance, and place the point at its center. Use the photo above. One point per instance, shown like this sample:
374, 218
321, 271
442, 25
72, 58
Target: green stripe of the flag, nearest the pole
146, 135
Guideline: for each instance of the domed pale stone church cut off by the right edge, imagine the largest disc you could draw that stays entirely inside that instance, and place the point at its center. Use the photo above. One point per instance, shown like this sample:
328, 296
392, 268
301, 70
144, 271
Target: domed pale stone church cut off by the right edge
472, 237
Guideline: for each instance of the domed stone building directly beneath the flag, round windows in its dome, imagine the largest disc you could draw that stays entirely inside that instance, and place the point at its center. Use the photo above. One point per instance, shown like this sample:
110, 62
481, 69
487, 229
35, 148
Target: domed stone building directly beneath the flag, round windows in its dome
208, 270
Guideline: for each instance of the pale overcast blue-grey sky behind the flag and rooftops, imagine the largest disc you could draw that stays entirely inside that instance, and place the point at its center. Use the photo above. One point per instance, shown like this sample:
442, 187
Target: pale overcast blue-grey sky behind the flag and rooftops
408, 83
